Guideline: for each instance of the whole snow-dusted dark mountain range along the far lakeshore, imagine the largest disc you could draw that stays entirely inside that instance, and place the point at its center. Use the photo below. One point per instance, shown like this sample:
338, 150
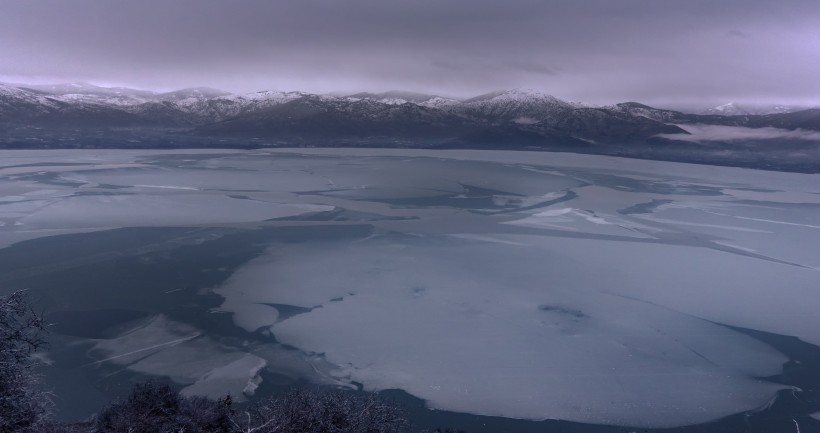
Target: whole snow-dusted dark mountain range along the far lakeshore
83, 115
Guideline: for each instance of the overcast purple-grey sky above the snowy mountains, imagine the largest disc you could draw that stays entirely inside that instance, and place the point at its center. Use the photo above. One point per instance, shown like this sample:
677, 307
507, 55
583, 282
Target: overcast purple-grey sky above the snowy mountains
600, 51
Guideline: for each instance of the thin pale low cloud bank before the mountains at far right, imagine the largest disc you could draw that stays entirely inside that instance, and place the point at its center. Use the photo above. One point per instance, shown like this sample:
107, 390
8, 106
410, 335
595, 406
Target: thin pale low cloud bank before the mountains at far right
699, 133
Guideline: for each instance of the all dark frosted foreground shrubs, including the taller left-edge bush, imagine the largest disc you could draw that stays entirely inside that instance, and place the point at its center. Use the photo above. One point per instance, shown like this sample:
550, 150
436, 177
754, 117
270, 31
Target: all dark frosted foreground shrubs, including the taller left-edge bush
158, 408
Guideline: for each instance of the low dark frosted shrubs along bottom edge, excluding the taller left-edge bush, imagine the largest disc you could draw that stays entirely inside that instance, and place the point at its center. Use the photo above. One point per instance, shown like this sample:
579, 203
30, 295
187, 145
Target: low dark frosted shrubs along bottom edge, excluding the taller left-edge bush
159, 408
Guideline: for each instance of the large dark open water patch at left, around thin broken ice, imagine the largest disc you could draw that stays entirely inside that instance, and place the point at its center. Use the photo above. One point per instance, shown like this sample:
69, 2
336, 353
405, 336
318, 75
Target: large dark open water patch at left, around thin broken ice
111, 279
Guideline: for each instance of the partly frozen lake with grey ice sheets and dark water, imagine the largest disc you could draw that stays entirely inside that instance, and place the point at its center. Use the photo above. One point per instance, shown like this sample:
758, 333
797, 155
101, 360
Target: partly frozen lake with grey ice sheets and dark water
510, 284
